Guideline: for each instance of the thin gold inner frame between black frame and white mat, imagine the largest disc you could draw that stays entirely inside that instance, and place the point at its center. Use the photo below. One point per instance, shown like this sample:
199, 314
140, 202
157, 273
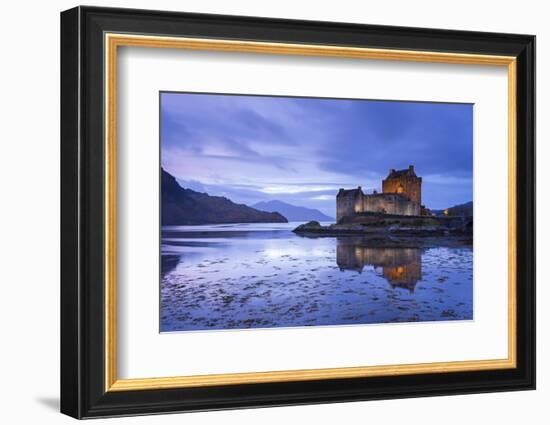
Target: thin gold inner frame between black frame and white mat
113, 41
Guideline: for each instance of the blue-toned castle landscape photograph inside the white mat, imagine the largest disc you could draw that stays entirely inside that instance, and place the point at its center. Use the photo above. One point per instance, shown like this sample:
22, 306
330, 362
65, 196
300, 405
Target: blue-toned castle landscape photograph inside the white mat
281, 212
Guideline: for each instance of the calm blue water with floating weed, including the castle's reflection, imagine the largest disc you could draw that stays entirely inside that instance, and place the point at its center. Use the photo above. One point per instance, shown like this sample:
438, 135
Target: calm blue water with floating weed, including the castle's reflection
262, 275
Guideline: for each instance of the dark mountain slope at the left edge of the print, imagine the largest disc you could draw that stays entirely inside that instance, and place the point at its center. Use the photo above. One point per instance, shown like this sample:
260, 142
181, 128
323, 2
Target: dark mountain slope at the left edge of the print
185, 206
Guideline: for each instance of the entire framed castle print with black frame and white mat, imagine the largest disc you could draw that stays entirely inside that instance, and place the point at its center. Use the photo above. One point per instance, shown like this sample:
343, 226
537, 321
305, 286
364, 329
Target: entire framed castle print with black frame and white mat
261, 212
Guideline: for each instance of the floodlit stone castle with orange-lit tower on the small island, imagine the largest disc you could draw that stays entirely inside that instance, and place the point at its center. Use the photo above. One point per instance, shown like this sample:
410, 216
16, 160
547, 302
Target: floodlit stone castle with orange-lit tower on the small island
401, 195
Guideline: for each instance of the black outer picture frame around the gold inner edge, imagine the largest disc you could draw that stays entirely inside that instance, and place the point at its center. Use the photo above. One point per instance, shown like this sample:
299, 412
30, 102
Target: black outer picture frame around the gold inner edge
83, 392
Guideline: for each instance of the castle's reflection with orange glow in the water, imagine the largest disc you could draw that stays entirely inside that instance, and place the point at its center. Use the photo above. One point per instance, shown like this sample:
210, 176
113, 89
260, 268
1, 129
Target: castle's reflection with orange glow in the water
401, 267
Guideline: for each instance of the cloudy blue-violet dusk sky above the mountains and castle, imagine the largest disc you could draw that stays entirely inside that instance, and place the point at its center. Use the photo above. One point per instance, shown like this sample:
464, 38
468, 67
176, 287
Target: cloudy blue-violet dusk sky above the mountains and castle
302, 150
